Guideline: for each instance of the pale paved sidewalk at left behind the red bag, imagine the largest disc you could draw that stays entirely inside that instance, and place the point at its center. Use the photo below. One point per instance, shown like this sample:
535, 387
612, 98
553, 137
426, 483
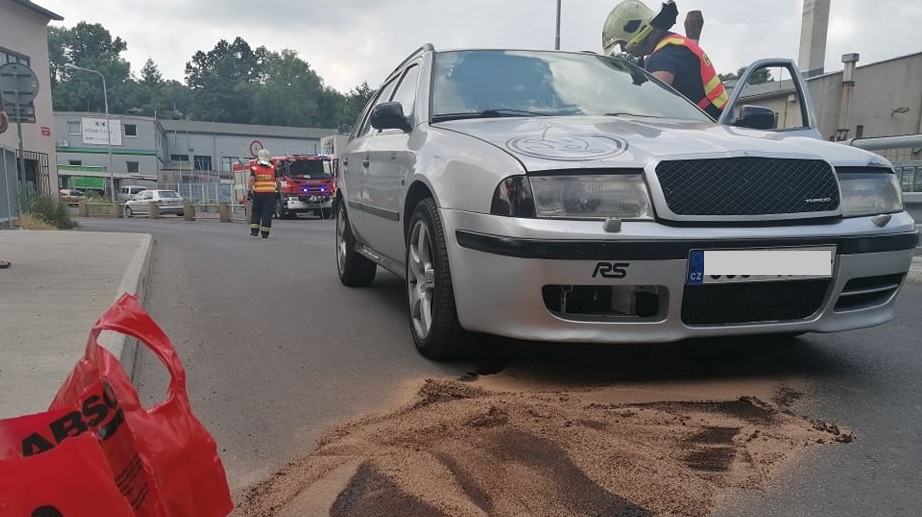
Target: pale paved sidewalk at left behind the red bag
60, 283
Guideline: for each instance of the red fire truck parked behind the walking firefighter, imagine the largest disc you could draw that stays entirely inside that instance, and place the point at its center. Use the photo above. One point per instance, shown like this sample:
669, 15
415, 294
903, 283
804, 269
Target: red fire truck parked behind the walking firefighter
307, 185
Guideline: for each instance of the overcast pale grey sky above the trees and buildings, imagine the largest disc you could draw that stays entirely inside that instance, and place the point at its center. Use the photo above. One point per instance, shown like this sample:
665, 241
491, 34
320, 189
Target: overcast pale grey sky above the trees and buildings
350, 41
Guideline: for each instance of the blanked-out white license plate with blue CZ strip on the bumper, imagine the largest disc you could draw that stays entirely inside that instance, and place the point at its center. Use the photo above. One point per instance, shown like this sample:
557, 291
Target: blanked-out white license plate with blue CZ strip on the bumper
760, 265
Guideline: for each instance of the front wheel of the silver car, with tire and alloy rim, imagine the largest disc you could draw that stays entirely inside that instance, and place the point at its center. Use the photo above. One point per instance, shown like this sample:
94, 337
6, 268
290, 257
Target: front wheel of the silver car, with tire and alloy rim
433, 316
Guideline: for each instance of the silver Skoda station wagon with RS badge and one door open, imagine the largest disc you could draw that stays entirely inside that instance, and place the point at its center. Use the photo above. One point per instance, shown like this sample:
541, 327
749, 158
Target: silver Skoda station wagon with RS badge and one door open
571, 197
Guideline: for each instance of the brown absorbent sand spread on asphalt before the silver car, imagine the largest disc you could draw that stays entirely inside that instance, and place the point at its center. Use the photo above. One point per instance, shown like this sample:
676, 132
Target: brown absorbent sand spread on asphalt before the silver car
495, 447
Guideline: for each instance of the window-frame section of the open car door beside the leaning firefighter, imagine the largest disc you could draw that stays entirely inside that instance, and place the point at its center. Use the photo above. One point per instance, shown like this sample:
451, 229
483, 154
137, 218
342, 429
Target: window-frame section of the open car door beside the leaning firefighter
772, 89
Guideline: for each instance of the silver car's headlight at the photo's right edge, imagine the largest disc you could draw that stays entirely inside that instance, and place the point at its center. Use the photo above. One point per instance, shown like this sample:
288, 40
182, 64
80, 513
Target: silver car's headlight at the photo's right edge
870, 193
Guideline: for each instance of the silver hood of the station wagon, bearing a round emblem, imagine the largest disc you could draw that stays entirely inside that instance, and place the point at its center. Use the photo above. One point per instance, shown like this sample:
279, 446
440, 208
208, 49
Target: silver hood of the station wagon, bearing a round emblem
546, 143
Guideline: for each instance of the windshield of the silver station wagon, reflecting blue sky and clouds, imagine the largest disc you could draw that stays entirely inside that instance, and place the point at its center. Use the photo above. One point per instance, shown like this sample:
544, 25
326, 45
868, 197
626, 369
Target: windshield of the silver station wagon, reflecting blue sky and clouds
496, 83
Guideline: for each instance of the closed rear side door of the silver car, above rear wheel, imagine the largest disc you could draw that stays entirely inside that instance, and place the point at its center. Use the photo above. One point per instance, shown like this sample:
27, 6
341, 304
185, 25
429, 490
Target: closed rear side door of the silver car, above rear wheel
357, 163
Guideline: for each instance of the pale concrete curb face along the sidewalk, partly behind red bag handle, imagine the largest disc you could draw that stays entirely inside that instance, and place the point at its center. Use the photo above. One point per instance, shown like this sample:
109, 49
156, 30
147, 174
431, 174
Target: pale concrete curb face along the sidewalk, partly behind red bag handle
135, 280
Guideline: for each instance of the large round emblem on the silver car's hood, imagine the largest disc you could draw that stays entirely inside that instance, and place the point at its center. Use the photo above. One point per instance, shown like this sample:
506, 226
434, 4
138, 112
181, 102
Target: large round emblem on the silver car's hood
566, 147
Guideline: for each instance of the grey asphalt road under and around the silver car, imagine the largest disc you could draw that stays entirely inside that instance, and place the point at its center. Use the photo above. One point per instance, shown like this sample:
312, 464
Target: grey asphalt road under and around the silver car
277, 351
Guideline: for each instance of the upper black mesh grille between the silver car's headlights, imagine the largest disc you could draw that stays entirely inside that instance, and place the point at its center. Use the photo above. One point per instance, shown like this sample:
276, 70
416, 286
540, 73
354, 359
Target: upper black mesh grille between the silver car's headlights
748, 186
